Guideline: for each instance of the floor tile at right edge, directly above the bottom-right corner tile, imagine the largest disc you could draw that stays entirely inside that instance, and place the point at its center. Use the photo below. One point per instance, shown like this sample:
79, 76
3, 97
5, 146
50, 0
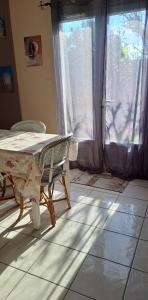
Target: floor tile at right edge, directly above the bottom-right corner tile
141, 256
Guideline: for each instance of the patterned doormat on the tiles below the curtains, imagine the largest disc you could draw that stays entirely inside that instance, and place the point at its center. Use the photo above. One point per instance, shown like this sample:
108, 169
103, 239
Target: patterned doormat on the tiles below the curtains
103, 181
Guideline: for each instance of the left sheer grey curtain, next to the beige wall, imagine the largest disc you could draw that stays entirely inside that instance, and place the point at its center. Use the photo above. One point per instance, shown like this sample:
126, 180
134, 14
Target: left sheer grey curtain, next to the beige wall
83, 109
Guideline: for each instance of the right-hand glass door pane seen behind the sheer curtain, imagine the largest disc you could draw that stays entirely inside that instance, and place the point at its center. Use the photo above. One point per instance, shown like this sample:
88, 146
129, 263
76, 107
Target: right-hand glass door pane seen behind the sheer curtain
123, 76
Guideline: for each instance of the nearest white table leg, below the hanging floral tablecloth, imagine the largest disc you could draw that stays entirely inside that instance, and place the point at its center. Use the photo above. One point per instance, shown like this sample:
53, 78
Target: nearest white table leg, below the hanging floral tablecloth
35, 214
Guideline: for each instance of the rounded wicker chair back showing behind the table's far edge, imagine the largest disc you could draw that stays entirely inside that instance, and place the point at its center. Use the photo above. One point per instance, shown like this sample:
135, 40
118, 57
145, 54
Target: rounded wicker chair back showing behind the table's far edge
30, 126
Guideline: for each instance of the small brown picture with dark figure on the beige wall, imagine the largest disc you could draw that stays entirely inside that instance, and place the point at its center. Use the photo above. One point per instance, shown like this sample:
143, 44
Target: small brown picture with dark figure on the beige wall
33, 50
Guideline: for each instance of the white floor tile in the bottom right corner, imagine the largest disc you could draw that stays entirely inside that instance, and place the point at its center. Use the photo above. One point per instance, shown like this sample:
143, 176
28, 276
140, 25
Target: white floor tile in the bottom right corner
137, 288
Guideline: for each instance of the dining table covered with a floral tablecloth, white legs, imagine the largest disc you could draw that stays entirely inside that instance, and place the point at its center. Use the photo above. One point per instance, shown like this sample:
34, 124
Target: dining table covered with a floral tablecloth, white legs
19, 157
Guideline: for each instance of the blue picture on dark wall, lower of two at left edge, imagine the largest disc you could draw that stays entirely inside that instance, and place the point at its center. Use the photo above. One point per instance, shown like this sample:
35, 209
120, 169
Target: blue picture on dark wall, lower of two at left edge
6, 79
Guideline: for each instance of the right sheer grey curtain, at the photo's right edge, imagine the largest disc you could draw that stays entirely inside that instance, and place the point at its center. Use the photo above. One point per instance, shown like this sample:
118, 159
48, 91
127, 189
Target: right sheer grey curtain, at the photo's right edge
126, 89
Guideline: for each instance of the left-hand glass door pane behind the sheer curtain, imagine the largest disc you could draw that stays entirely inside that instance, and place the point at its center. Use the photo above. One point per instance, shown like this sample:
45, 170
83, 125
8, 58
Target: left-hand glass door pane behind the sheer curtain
76, 65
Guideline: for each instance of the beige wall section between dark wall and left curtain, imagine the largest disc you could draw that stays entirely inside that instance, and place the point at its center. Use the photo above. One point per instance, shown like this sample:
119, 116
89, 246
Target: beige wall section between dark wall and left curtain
36, 84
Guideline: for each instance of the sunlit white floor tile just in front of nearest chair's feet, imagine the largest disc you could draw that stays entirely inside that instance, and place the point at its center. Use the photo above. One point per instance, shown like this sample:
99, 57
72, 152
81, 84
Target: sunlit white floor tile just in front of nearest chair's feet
69, 234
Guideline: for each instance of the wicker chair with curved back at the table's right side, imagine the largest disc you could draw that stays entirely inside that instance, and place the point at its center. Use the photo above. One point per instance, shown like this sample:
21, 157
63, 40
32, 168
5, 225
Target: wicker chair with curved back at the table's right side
52, 161
